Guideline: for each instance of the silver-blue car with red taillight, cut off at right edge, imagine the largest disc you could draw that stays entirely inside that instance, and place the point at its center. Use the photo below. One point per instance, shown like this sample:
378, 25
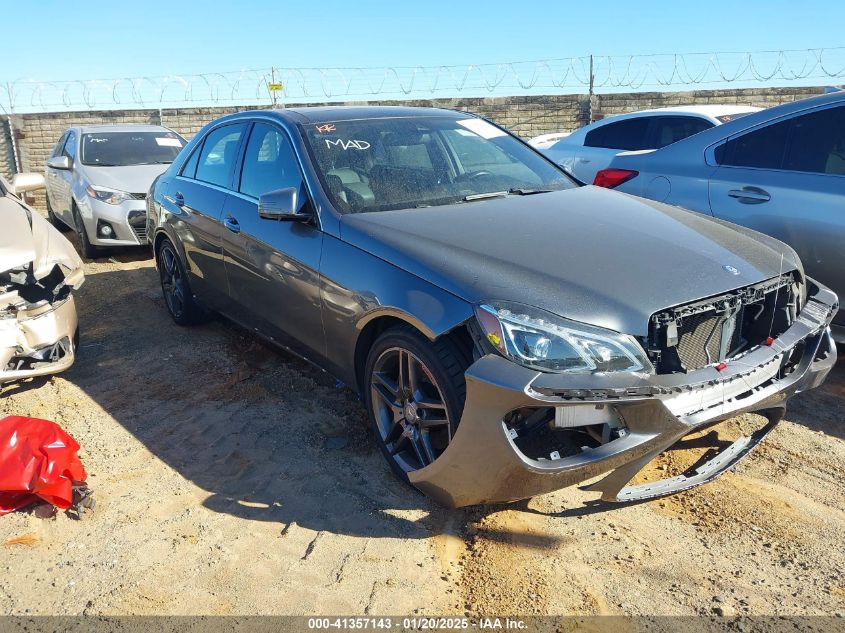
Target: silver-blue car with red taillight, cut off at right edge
780, 171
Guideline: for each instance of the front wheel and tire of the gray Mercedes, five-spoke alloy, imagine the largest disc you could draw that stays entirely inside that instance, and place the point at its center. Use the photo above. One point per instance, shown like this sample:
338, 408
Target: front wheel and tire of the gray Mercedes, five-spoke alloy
410, 431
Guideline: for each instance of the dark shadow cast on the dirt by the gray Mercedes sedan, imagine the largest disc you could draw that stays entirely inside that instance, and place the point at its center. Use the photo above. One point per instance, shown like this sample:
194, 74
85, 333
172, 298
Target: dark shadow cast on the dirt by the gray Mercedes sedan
269, 437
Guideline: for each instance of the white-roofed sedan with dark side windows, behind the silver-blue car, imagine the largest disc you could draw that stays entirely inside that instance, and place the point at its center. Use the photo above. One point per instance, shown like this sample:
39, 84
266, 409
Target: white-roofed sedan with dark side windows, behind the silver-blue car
591, 148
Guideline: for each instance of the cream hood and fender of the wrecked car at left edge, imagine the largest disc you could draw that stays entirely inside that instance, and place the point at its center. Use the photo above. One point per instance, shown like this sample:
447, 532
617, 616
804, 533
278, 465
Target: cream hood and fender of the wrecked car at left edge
27, 237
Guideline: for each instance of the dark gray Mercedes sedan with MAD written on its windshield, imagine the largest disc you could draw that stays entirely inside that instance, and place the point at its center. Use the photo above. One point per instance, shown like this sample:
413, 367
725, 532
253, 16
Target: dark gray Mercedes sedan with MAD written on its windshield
509, 331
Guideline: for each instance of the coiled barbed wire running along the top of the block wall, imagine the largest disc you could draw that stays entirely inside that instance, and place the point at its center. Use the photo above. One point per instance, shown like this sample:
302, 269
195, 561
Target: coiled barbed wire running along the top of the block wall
252, 86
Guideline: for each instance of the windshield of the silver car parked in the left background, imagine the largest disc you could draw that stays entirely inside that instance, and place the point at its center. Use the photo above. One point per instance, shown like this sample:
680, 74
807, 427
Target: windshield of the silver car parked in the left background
111, 149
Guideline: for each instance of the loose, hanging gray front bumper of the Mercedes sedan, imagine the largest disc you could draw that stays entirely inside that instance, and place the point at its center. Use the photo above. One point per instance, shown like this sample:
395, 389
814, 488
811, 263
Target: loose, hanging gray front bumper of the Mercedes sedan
484, 465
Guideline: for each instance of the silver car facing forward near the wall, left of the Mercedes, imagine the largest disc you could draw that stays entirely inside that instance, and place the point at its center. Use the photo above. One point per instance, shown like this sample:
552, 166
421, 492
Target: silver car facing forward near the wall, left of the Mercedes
98, 177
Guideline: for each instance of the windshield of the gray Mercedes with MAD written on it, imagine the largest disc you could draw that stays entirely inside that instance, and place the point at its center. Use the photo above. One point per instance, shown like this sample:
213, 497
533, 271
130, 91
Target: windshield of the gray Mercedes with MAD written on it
399, 163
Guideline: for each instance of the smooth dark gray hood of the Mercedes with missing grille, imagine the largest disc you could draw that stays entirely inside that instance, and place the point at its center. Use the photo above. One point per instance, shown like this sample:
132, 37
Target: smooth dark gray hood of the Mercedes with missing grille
589, 254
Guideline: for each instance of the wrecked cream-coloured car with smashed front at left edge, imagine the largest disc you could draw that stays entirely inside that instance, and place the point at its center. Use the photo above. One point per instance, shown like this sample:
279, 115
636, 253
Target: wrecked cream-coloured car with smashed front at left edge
39, 269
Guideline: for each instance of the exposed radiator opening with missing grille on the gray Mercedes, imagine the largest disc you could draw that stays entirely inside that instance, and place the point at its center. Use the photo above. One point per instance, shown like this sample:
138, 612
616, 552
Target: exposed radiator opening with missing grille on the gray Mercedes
691, 336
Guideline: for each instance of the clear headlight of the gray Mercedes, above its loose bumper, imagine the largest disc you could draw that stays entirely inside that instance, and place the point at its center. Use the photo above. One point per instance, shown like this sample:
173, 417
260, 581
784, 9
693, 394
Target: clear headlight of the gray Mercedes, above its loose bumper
546, 342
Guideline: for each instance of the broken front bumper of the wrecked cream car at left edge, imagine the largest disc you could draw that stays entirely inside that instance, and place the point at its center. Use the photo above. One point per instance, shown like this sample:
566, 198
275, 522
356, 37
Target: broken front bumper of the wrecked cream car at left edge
38, 343
